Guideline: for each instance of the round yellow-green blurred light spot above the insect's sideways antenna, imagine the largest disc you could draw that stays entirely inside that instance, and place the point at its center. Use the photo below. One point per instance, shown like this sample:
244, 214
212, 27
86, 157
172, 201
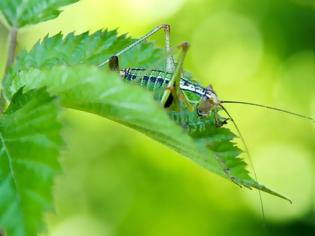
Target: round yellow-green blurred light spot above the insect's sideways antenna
230, 48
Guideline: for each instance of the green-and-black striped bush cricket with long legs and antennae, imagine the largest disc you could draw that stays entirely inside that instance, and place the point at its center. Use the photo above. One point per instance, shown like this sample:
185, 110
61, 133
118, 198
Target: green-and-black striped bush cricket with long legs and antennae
177, 92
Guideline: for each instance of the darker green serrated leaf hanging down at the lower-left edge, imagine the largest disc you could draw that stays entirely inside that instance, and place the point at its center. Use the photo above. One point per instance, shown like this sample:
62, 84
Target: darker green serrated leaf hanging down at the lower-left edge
29, 144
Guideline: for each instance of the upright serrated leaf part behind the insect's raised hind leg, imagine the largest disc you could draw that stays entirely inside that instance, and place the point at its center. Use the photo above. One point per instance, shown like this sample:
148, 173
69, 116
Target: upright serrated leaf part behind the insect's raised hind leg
84, 49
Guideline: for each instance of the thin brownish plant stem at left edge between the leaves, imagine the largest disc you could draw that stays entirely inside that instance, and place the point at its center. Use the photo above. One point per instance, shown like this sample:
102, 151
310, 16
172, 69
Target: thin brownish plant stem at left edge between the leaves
10, 60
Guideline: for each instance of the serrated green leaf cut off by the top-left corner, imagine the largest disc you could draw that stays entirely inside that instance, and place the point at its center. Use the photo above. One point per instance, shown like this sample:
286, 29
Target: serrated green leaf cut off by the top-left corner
19, 13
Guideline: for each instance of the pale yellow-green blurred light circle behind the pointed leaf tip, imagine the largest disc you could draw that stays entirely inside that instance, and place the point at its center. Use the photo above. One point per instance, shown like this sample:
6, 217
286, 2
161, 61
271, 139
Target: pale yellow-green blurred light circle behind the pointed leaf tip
287, 170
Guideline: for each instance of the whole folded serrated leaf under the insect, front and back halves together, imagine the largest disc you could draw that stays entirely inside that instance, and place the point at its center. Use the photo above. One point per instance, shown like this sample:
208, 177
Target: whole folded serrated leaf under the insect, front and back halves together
84, 92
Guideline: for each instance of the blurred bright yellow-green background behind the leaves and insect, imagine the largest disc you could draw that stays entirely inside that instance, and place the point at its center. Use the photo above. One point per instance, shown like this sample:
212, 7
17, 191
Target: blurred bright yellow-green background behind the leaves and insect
118, 182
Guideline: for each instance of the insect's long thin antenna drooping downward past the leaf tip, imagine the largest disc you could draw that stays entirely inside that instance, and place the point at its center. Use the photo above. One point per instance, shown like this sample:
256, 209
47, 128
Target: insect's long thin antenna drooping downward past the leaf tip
250, 162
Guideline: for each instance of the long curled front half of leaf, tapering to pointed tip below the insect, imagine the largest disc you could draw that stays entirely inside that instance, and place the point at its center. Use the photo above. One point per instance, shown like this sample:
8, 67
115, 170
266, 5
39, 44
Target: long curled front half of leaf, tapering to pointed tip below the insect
97, 91
